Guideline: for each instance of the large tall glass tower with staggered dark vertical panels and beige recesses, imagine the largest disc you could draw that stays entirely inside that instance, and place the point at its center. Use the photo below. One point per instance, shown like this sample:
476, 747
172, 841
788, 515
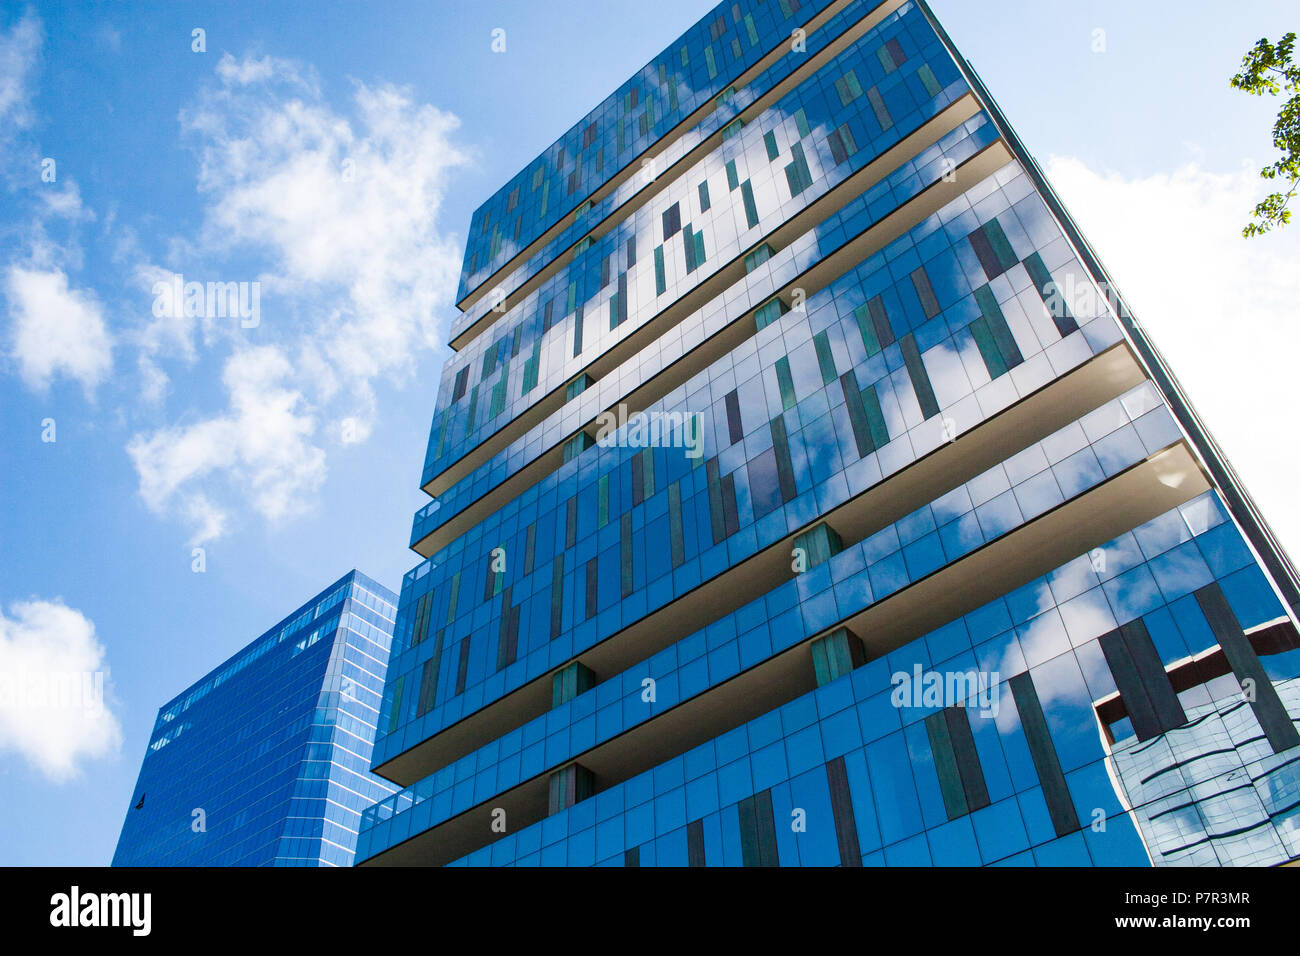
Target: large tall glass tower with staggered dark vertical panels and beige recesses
805, 494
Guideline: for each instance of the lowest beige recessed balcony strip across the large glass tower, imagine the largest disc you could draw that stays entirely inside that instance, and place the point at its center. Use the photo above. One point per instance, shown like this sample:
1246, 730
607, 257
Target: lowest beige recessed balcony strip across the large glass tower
1120, 504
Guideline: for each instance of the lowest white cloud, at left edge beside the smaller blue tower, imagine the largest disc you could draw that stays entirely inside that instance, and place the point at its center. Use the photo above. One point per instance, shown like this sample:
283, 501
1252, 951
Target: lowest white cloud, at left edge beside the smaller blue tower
54, 690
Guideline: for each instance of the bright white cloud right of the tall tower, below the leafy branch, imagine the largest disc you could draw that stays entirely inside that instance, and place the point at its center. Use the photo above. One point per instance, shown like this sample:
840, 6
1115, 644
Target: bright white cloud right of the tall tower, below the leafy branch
1225, 312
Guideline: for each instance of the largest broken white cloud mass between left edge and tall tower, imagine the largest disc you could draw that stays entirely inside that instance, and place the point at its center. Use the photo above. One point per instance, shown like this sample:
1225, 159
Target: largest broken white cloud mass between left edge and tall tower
341, 215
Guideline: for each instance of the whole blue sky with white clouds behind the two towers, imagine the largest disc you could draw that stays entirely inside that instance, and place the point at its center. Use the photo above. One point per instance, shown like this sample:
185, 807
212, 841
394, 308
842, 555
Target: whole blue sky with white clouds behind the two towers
292, 452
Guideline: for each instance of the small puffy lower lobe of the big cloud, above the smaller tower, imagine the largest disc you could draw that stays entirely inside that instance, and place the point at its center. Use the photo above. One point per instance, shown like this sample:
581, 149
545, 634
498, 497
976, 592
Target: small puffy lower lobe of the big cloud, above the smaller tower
259, 448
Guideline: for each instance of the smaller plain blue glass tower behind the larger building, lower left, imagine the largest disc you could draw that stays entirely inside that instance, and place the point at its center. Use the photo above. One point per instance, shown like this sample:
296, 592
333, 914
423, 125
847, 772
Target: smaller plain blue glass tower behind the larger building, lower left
266, 762
